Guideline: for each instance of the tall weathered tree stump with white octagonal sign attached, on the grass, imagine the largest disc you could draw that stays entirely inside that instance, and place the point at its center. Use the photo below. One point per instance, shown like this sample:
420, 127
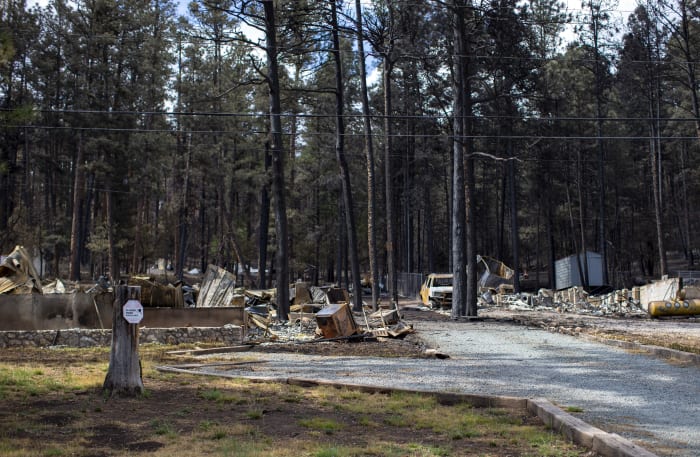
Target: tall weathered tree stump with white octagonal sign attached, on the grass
124, 373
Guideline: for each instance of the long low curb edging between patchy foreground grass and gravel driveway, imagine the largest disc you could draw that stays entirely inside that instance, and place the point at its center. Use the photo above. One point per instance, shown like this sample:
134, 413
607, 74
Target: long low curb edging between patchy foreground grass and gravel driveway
561, 422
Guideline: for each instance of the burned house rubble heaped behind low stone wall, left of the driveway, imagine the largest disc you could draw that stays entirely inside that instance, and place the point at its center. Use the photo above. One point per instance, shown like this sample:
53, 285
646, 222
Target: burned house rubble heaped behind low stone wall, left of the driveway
317, 313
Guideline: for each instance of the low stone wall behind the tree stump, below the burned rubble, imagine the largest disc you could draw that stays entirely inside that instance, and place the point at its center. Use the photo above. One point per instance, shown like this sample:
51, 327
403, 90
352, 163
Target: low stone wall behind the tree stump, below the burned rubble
76, 337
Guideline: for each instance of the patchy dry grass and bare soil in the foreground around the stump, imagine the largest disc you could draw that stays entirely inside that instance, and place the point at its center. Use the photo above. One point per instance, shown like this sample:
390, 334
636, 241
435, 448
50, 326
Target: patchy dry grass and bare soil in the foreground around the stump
51, 404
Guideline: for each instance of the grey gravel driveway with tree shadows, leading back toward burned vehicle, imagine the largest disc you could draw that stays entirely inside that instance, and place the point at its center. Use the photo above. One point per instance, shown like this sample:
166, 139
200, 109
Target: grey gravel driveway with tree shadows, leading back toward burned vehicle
647, 400
